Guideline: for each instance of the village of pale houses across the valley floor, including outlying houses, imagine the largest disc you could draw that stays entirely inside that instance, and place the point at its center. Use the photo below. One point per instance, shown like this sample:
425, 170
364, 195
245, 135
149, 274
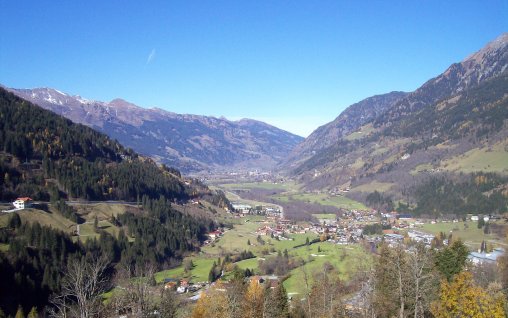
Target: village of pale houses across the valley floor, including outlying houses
360, 228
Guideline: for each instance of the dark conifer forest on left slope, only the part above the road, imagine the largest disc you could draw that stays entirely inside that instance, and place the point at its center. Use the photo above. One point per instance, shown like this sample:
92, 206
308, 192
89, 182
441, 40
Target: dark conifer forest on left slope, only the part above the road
38, 145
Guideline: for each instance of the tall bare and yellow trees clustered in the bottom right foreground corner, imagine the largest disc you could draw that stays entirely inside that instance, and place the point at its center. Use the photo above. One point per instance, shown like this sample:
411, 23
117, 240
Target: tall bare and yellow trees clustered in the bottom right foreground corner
423, 282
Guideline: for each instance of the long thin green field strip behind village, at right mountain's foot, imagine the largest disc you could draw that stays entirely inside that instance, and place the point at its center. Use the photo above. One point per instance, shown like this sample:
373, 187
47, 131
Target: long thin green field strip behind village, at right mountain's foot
323, 199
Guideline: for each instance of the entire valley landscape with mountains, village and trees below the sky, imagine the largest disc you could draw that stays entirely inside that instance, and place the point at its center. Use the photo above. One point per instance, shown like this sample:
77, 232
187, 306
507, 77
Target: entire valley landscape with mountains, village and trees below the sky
381, 212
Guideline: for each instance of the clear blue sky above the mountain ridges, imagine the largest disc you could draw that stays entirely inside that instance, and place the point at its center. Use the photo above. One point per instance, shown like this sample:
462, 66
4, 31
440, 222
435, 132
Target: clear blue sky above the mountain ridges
294, 64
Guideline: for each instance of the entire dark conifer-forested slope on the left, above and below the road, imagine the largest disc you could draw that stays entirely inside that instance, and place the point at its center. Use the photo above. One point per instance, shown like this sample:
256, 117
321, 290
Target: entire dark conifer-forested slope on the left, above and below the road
48, 157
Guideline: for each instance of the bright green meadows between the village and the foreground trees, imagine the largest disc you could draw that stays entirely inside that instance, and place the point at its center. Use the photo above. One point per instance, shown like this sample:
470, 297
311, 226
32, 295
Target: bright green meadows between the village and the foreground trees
344, 258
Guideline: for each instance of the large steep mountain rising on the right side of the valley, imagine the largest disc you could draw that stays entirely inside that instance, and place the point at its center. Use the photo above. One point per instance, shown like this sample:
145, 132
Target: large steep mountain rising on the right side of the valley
455, 122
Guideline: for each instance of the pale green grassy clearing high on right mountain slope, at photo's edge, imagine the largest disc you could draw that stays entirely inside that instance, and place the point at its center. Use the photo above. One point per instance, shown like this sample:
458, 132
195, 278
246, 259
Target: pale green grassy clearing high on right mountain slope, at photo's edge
493, 160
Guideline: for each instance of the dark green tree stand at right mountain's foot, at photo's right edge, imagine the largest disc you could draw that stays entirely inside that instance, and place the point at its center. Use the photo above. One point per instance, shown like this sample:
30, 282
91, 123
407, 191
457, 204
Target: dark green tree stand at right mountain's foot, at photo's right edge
481, 193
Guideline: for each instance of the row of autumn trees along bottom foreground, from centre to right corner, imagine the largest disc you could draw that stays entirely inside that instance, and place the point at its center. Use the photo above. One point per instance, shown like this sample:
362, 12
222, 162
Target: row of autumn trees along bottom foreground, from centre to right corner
416, 281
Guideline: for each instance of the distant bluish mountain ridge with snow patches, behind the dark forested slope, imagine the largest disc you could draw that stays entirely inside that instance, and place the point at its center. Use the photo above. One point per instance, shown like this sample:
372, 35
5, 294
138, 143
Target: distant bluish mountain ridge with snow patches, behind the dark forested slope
188, 142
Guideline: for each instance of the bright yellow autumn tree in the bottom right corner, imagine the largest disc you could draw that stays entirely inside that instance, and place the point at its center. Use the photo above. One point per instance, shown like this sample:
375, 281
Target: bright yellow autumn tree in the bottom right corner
461, 298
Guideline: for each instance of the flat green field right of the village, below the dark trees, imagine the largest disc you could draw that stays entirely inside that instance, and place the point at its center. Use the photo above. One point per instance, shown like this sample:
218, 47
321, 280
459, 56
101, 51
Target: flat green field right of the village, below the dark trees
470, 234
